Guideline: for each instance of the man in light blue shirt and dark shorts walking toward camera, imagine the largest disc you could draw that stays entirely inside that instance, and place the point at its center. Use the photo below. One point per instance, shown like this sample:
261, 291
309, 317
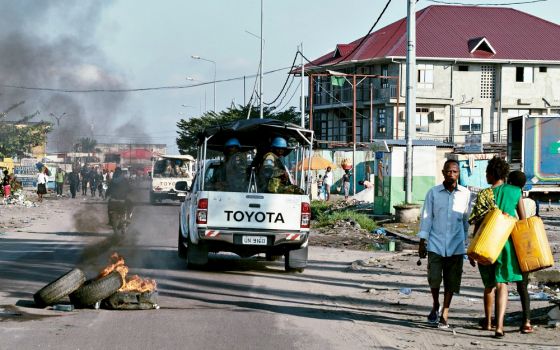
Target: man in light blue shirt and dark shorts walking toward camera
443, 234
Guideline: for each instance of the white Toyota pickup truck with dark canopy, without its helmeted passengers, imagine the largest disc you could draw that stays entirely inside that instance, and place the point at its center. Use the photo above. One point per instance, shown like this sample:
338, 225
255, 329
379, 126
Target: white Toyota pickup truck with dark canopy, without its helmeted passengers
252, 221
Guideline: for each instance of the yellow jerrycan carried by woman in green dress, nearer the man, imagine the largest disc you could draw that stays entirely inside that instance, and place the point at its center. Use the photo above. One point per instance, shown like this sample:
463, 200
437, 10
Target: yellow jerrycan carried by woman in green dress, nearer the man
491, 237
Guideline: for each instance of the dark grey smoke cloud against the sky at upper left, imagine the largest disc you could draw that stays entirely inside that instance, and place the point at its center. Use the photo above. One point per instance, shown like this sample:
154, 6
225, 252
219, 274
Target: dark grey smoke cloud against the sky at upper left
52, 44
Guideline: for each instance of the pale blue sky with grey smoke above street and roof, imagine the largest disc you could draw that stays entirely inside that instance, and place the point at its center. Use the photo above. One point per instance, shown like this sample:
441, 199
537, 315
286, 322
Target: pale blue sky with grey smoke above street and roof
133, 44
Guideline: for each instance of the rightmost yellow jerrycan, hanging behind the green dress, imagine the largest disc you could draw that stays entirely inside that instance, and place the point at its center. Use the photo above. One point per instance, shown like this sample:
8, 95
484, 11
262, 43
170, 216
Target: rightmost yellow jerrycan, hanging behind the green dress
531, 245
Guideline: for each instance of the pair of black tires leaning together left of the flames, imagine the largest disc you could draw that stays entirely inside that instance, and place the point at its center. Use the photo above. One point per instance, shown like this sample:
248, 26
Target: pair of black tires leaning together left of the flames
82, 292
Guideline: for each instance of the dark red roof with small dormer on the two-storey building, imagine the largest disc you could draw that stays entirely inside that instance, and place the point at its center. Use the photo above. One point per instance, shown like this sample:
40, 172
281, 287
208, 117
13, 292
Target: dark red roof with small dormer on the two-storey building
447, 31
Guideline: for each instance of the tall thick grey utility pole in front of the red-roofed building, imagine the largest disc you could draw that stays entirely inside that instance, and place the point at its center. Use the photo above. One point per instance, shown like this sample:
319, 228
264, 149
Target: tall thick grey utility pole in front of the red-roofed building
410, 93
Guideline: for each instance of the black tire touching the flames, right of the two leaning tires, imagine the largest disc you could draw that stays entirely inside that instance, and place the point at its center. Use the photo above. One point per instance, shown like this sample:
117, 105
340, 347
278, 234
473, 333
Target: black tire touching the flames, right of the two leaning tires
96, 290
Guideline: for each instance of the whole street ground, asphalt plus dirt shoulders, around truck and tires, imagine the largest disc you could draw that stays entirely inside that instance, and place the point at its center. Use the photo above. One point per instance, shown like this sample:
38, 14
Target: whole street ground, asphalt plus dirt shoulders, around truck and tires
233, 303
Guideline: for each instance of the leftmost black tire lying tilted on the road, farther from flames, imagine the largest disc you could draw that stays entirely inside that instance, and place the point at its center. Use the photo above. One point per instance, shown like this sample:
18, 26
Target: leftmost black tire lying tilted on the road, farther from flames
61, 287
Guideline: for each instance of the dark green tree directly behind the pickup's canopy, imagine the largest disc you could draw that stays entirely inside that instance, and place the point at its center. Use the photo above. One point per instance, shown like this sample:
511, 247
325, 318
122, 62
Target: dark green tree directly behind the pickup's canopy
191, 128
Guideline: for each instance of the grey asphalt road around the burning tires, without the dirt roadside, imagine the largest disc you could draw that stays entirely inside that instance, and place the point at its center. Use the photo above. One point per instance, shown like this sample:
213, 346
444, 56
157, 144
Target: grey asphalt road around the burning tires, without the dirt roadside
233, 304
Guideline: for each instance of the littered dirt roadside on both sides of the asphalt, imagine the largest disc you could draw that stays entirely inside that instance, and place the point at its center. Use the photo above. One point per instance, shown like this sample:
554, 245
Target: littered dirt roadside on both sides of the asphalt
399, 314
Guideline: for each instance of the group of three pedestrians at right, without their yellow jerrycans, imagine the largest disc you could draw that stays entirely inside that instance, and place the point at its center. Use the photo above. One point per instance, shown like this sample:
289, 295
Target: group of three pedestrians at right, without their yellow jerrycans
445, 220
